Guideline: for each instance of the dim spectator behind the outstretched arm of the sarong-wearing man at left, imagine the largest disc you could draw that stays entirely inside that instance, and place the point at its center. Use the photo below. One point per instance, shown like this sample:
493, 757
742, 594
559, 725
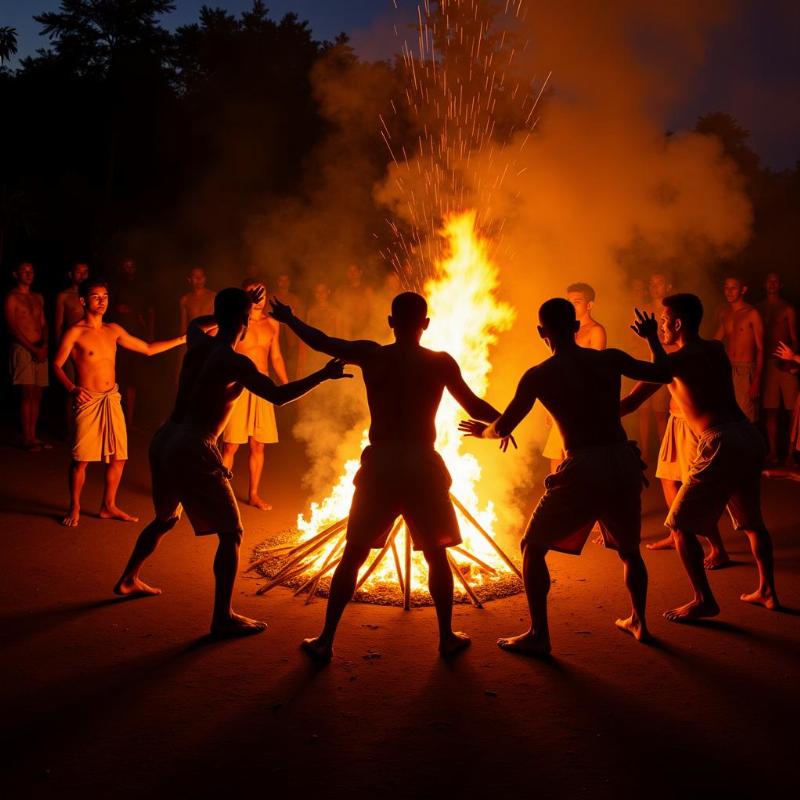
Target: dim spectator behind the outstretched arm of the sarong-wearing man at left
136, 315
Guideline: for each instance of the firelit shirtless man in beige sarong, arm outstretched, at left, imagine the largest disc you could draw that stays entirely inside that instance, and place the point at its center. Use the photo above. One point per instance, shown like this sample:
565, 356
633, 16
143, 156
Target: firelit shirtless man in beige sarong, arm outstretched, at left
99, 432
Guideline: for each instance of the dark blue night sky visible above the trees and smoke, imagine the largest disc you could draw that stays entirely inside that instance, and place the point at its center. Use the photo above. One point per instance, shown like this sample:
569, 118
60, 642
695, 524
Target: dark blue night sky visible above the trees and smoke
752, 67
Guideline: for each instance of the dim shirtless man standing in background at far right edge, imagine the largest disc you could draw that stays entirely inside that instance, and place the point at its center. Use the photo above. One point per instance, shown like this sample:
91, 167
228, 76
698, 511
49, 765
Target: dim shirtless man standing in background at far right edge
780, 376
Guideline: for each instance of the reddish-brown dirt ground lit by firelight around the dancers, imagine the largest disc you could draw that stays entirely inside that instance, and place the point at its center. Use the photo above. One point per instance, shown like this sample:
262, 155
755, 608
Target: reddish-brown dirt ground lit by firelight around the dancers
108, 698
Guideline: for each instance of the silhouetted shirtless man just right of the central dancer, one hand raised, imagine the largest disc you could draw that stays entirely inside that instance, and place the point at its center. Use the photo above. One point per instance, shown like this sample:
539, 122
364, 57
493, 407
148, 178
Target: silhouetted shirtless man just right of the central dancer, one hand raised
600, 480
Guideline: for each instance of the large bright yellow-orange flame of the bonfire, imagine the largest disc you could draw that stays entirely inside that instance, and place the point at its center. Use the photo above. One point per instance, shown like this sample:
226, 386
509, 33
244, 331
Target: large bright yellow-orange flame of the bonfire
466, 317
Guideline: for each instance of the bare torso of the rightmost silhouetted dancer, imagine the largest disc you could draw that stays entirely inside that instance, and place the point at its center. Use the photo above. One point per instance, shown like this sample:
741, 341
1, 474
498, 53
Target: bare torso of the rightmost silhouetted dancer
702, 385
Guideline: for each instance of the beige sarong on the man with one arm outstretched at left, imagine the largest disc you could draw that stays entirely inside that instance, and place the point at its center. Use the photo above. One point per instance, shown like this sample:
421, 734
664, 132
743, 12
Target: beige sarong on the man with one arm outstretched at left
100, 433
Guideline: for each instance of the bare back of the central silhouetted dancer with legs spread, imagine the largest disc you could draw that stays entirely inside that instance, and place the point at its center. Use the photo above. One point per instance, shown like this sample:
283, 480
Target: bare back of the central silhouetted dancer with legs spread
404, 384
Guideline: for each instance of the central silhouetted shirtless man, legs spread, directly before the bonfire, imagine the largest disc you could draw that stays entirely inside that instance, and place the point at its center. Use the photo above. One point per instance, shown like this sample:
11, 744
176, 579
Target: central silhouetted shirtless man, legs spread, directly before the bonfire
401, 472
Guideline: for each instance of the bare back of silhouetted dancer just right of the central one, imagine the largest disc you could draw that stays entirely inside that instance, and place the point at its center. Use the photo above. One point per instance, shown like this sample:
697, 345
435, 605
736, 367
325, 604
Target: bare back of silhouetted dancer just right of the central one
580, 388
